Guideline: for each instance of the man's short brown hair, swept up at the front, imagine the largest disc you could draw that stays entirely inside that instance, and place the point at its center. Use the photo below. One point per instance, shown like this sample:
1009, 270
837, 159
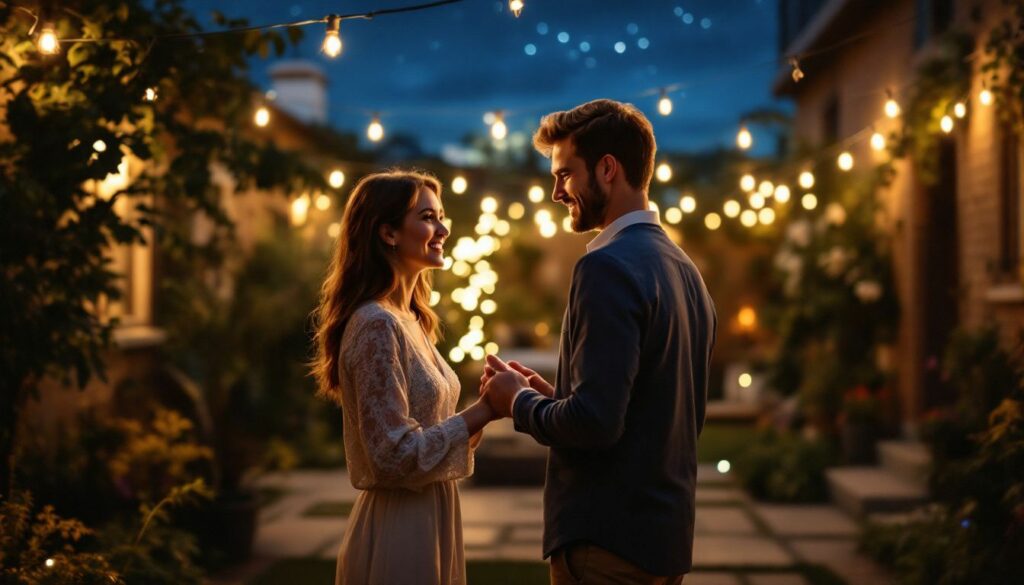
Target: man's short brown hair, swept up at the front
604, 128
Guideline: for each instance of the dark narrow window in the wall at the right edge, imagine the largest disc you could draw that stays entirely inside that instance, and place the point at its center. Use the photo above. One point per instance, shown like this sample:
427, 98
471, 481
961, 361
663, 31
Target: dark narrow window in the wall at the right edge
1011, 194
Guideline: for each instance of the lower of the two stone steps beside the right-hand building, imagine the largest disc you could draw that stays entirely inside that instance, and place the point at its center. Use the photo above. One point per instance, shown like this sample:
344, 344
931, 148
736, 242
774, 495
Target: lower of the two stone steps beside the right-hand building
863, 491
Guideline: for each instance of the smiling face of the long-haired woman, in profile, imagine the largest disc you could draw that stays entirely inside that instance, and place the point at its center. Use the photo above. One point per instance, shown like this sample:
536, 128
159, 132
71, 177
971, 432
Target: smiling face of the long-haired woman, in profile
420, 241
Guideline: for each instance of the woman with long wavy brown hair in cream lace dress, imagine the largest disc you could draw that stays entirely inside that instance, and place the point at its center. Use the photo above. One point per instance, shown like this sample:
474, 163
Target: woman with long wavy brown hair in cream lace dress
405, 446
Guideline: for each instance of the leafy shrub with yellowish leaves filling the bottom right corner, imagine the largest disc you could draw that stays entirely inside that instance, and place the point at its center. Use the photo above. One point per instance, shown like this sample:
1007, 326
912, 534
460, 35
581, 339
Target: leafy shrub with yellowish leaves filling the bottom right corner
975, 532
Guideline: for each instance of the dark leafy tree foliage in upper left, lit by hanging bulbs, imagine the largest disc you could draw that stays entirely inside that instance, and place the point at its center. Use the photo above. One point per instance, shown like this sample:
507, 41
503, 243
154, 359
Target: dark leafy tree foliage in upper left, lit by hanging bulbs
59, 225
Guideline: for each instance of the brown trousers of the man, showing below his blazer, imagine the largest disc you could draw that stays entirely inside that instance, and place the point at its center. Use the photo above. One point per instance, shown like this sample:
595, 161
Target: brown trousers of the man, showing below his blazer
585, 564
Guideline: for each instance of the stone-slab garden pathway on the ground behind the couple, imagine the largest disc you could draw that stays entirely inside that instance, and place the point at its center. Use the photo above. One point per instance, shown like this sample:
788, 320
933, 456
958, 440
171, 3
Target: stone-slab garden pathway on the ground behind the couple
738, 542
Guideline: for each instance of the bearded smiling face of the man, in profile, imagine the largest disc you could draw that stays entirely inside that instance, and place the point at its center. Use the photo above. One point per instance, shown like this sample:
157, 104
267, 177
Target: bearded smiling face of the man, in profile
577, 188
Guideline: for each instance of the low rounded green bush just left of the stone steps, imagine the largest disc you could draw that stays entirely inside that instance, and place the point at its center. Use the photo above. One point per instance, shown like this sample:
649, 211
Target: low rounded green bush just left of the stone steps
785, 468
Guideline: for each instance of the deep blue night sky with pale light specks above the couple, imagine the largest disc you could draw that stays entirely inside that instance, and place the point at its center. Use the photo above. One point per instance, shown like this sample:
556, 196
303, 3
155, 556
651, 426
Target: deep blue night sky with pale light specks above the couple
434, 74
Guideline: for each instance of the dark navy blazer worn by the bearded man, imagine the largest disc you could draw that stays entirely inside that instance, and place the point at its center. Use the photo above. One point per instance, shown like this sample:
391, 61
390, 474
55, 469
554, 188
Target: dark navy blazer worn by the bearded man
630, 396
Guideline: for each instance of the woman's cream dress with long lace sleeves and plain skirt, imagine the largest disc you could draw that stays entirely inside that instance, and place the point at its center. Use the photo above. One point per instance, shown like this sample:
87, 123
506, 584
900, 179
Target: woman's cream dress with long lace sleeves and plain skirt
405, 448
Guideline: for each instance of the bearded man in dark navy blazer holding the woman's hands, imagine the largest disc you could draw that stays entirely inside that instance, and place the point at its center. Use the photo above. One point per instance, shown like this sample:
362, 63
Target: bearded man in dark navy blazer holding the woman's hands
628, 404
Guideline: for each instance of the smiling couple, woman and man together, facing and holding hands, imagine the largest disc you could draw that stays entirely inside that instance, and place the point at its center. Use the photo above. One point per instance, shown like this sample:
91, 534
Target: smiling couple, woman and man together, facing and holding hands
621, 419
